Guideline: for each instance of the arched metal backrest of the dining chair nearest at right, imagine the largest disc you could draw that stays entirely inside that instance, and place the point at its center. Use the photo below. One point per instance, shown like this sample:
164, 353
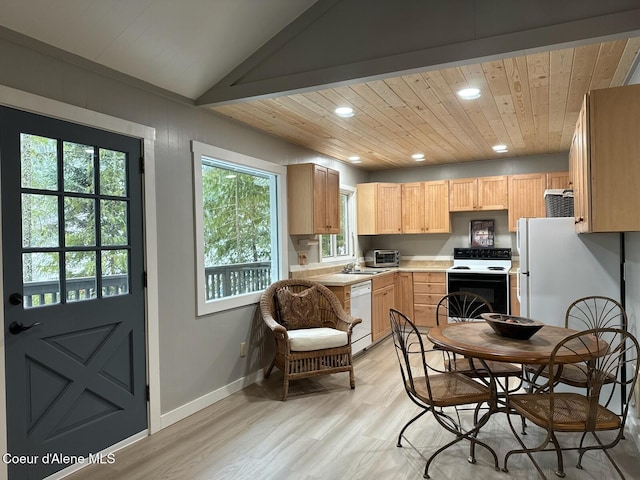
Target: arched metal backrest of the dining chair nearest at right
606, 365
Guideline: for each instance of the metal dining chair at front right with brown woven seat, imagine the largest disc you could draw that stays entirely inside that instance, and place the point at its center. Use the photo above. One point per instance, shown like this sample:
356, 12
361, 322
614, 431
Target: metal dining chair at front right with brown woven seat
590, 411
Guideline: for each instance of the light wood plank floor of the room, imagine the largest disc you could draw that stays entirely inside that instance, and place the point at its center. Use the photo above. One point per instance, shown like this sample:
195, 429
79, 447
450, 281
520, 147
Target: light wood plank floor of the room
326, 431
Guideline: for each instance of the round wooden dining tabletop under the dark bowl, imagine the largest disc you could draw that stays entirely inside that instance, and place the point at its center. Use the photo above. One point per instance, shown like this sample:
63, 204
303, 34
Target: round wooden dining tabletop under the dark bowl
478, 340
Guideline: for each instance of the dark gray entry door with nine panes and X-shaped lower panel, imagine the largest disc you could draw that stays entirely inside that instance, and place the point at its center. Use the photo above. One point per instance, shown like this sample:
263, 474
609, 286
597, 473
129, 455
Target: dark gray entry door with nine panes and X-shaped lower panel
72, 251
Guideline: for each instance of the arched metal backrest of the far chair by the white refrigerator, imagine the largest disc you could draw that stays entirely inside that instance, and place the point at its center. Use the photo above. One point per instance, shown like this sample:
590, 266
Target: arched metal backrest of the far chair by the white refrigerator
595, 312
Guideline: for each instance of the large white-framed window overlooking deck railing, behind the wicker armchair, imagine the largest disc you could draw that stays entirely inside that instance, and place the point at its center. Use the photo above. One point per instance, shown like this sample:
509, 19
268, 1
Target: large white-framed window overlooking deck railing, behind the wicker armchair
239, 225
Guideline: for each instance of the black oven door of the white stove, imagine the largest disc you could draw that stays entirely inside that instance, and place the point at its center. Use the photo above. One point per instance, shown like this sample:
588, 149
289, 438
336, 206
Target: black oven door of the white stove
493, 287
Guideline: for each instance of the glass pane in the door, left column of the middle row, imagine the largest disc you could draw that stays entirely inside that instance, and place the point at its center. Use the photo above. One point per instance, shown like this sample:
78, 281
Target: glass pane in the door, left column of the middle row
39, 221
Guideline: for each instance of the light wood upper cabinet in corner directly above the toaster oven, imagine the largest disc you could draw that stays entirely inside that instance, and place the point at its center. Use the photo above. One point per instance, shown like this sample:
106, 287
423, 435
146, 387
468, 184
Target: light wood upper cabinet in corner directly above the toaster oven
379, 207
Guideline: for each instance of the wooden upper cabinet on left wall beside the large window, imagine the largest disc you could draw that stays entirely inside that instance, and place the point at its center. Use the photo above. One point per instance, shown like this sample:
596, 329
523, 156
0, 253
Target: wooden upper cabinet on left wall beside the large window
313, 199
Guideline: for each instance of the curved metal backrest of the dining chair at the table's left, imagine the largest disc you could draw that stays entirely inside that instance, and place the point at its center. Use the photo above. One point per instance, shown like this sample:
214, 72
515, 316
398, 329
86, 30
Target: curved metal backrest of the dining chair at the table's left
409, 350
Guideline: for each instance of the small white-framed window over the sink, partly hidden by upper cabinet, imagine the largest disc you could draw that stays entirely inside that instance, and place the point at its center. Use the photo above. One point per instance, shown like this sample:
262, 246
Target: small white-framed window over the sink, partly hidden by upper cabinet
340, 246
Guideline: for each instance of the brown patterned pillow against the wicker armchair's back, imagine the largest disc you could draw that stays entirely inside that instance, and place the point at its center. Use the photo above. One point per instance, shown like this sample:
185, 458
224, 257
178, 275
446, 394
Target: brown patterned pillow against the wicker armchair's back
298, 310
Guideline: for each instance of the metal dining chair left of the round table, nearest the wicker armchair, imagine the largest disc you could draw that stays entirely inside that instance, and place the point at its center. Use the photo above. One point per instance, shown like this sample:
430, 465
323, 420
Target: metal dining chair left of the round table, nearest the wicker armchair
433, 390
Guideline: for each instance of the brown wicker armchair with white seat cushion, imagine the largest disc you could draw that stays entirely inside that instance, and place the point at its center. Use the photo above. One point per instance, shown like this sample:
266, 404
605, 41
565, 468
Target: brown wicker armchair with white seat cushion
313, 350
